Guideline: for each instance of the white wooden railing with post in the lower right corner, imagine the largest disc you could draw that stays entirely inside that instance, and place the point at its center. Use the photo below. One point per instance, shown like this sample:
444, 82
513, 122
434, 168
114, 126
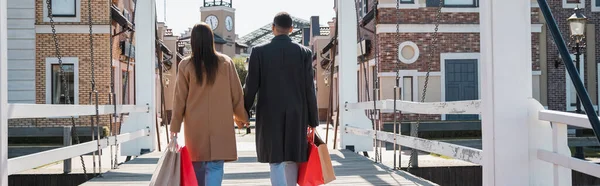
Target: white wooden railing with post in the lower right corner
560, 121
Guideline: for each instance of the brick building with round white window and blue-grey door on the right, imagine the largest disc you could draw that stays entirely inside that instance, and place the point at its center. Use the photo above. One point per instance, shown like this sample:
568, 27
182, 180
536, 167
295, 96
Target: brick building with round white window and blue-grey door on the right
455, 65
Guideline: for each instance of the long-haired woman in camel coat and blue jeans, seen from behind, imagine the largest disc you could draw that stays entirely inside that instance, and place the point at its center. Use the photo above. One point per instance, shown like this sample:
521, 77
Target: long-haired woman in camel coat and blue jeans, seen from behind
208, 98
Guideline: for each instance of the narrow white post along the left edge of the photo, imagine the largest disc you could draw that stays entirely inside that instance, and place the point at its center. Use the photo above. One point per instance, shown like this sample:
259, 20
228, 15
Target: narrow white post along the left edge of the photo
3, 96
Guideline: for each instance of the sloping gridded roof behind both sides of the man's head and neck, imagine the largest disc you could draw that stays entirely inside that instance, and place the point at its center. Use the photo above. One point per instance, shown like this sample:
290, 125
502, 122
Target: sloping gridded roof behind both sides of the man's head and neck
265, 34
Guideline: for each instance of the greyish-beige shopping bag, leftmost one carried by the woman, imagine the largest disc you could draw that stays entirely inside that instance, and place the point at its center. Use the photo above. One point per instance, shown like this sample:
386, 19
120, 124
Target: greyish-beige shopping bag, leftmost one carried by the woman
167, 172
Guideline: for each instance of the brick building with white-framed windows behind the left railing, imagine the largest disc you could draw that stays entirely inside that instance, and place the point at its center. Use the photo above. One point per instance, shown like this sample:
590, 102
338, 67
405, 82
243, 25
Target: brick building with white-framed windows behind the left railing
73, 33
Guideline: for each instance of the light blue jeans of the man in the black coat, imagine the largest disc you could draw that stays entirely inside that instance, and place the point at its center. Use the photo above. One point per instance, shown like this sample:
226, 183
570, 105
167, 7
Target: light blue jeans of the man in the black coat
284, 174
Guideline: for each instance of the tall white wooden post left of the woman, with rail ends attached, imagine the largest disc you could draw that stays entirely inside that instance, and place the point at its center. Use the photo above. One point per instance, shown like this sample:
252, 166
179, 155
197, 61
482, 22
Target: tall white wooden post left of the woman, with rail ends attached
145, 77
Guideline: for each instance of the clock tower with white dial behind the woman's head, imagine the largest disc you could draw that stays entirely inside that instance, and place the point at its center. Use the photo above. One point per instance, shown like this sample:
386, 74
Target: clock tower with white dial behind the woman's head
220, 15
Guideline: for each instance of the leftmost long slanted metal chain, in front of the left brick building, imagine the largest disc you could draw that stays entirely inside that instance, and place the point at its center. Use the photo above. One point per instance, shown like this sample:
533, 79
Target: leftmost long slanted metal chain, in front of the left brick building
64, 80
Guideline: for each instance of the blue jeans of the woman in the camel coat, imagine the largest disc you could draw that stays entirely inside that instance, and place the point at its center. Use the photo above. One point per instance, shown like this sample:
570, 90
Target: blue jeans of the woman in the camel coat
209, 173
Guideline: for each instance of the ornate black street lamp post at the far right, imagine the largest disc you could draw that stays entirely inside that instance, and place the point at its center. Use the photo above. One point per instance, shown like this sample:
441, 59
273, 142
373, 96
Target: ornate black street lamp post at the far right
577, 23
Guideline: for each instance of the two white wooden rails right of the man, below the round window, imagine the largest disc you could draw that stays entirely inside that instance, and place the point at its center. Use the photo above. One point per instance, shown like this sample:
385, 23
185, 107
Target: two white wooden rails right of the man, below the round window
451, 150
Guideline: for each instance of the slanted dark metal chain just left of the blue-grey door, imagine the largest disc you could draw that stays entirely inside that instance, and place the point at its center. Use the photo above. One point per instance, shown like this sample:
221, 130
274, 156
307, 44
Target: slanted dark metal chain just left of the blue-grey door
433, 45
